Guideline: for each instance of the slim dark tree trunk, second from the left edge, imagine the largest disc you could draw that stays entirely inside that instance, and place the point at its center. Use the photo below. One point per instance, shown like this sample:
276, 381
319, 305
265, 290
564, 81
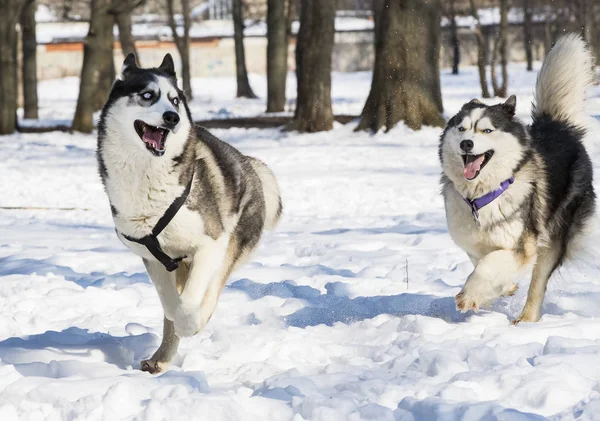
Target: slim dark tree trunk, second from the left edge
29, 70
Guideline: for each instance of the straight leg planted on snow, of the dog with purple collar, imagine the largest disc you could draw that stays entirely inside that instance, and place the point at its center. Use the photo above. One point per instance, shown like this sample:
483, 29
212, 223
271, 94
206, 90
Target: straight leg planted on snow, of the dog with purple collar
547, 261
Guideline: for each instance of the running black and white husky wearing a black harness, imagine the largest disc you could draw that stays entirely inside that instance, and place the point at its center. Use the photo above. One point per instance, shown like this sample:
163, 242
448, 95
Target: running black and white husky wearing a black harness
191, 206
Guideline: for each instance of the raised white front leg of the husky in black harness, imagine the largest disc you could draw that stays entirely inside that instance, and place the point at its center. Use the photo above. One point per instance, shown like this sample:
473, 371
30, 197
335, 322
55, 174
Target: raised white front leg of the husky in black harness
206, 269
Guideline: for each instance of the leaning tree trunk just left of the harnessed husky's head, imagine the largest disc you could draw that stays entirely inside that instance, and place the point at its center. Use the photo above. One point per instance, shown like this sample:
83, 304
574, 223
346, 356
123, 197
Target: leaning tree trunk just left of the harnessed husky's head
97, 49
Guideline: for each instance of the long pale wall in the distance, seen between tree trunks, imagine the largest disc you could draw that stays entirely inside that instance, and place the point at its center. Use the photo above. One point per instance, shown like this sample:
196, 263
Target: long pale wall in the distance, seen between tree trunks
213, 55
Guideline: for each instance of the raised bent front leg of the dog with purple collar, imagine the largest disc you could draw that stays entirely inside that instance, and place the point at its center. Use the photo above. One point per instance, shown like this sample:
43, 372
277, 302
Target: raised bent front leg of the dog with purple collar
494, 275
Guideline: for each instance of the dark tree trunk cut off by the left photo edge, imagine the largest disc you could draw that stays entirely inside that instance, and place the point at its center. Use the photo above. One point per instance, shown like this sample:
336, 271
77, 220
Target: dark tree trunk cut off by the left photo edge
10, 11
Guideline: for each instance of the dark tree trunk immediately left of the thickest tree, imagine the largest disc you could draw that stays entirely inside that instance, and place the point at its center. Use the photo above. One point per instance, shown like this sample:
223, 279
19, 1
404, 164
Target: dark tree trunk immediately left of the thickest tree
313, 66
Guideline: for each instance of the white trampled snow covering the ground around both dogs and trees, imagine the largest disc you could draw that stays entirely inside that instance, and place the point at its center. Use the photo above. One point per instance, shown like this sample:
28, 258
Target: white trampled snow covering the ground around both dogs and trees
346, 312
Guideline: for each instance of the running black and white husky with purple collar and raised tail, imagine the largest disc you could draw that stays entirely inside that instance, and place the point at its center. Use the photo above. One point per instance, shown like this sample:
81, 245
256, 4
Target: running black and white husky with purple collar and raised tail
518, 195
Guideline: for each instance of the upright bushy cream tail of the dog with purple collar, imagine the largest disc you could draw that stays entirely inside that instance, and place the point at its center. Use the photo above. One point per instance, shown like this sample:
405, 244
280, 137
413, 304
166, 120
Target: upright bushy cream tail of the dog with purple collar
562, 81
